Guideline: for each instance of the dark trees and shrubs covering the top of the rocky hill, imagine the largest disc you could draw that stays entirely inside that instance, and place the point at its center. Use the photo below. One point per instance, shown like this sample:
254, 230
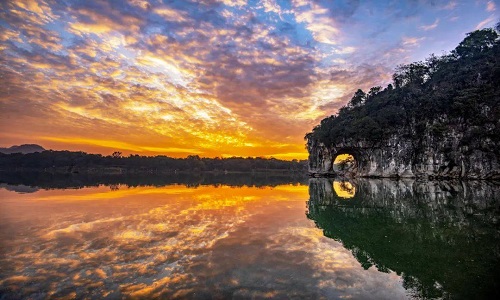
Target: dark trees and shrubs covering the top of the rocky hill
460, 89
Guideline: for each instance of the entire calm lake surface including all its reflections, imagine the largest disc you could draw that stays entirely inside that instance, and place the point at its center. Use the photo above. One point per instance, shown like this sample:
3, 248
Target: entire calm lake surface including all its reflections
247, 237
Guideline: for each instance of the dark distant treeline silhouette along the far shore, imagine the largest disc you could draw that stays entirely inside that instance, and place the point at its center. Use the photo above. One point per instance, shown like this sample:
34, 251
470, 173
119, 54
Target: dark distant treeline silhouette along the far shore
81, 162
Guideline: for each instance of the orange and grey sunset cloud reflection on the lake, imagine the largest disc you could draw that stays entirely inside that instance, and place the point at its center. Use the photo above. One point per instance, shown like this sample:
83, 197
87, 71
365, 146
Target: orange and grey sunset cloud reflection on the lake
175, 242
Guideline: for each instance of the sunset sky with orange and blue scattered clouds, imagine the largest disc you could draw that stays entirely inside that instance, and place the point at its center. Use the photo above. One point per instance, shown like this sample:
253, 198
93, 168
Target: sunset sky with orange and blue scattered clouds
214, 78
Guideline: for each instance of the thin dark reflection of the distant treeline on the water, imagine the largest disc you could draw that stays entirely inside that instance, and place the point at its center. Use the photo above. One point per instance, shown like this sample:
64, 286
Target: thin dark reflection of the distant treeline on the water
46, 180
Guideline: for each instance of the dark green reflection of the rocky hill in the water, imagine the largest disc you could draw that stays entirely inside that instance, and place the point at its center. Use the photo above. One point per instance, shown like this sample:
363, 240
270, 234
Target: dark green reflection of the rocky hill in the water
442, 237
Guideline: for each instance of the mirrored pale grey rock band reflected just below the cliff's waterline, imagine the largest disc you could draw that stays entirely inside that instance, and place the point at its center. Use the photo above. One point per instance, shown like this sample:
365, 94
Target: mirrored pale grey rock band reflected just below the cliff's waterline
450, 201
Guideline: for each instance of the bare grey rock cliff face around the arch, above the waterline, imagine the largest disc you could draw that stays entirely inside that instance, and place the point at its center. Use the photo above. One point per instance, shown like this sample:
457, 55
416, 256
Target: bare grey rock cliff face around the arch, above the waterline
405, 154
